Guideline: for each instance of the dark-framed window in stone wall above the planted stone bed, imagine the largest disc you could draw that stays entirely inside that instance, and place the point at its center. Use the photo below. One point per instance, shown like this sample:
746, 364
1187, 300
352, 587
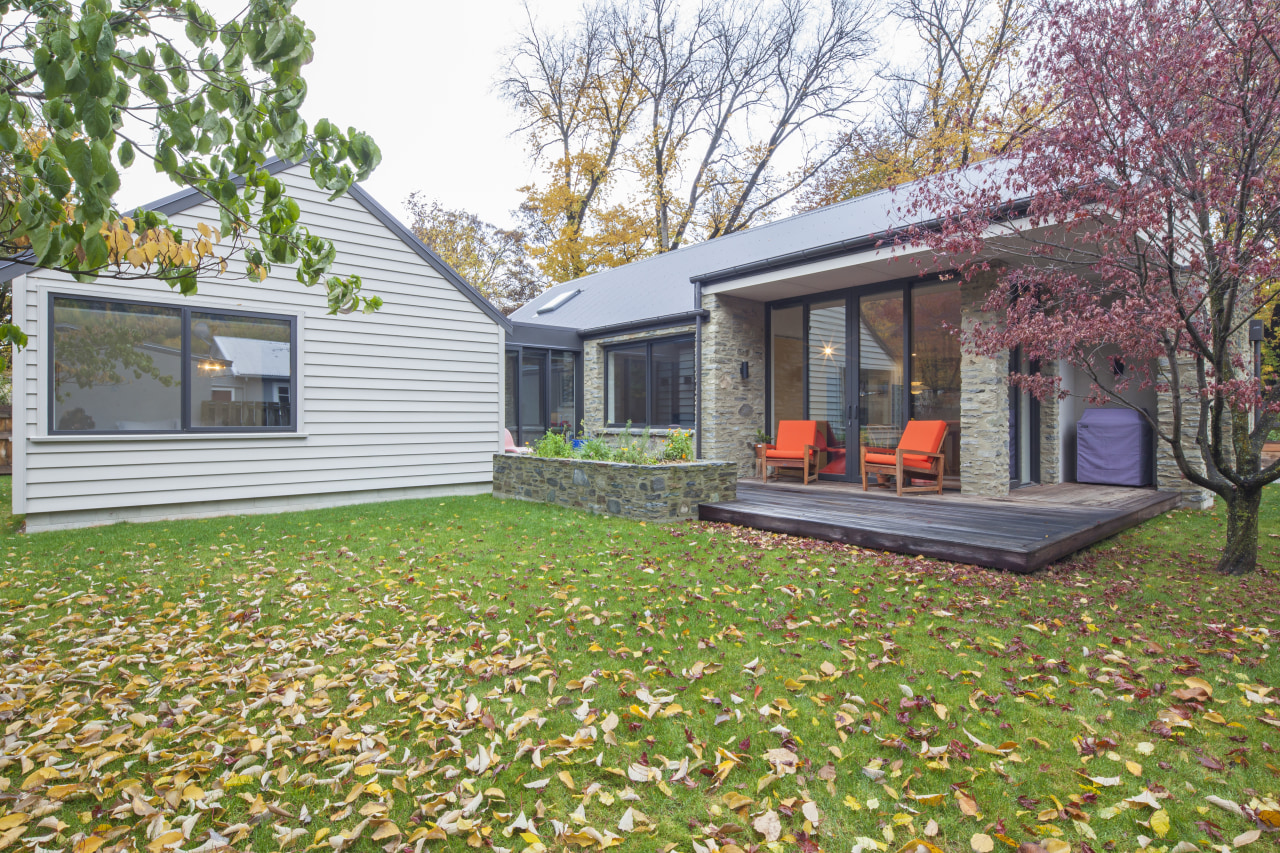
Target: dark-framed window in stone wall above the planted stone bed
652, 384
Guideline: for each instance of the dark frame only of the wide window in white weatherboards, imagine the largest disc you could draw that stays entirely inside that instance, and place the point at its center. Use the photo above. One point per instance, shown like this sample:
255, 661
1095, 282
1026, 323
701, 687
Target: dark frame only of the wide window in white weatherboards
185, 313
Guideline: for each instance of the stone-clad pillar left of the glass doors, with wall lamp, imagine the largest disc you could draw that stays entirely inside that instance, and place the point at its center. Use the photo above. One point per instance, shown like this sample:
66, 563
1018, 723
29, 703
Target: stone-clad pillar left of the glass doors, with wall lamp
733, 408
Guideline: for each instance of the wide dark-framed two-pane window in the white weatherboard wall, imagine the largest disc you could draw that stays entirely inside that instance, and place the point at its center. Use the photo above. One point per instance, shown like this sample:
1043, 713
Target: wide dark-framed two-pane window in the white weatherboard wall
138, 368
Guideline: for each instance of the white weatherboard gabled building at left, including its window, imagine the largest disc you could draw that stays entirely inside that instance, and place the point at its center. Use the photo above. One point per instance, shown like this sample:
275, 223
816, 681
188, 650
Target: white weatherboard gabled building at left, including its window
134, 403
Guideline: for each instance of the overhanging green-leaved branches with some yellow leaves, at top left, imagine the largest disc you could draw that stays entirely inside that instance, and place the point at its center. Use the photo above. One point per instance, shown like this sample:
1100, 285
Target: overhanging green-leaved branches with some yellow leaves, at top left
92, 88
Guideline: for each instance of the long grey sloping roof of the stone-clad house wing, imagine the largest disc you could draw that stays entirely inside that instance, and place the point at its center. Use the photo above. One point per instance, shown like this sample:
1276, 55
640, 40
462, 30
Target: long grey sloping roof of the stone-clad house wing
662, 286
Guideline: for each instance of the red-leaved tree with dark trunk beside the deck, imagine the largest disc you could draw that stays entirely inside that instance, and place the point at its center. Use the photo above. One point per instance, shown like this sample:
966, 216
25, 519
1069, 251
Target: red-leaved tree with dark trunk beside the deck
1144, 217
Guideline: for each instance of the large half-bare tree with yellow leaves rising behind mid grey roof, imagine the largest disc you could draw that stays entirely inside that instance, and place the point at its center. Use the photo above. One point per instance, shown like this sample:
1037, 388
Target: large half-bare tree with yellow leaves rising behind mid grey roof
657, 125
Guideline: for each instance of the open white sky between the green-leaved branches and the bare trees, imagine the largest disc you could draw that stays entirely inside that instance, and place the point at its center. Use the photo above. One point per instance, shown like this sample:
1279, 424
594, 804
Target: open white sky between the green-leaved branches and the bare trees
419, 77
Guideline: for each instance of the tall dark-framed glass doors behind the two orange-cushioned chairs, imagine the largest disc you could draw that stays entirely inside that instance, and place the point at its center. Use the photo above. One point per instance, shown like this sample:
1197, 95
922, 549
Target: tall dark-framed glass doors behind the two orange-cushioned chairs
892, 350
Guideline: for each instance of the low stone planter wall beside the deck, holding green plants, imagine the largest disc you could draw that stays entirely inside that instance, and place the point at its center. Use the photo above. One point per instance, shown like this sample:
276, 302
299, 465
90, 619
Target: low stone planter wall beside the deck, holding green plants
643, 492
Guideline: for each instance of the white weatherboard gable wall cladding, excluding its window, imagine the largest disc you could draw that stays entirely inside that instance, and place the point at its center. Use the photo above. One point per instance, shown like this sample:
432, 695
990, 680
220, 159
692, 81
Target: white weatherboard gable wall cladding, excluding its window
403, 403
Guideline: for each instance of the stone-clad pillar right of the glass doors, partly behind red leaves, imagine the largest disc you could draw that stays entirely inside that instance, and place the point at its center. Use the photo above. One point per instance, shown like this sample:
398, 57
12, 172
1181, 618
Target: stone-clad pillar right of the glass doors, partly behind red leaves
984, 402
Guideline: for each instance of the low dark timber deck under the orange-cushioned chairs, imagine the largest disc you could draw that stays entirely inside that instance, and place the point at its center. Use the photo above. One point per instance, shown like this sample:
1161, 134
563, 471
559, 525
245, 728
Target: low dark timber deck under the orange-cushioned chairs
1025, 532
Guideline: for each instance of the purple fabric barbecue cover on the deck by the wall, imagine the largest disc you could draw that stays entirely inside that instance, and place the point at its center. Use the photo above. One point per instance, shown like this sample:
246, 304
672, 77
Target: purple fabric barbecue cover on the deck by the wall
1113, 448
